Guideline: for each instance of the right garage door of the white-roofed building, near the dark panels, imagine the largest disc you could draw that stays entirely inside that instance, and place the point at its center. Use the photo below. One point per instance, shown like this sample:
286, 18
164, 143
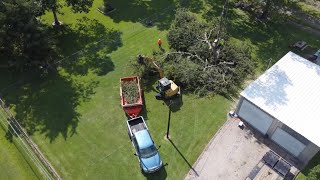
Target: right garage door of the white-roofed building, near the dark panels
288, 142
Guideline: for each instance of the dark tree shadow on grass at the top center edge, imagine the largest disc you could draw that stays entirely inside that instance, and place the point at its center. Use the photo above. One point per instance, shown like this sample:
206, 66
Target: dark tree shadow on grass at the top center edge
149, 13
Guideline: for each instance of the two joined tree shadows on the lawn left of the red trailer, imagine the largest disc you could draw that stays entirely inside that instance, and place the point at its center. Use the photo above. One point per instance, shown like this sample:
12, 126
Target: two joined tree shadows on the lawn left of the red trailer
49, 106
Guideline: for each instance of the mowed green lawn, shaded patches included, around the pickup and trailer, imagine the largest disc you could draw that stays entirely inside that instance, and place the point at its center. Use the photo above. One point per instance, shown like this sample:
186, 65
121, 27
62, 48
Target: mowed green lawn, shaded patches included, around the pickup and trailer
75, 117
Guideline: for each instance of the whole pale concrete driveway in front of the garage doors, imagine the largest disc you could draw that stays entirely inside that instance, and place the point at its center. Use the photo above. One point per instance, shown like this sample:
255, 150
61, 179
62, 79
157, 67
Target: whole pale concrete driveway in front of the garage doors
234, 154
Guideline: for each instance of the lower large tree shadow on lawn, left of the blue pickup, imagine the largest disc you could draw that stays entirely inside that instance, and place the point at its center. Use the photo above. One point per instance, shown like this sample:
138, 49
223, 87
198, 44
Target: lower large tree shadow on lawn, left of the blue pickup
49, 107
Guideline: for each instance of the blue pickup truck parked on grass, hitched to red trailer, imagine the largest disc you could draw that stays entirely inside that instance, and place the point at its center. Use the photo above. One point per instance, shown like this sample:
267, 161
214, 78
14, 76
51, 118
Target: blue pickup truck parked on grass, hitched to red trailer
144, 146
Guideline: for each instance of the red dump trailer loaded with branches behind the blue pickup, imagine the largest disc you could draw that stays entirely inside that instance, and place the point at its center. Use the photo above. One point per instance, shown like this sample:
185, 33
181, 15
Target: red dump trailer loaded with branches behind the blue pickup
132, 109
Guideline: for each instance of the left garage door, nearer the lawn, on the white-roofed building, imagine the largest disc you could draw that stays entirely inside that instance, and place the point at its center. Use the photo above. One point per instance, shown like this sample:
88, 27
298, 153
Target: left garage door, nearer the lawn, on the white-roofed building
255, 117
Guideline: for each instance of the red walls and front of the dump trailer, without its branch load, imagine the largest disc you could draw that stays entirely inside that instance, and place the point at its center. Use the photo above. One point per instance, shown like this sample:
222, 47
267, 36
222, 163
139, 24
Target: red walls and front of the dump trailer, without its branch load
132, 109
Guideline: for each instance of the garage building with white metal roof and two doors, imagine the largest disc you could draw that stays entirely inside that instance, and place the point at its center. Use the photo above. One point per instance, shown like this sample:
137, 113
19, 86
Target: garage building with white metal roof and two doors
282, 104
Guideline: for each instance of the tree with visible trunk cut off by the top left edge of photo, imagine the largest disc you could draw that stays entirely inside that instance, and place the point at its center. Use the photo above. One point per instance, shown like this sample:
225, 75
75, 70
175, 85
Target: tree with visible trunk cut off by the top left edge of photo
55, 6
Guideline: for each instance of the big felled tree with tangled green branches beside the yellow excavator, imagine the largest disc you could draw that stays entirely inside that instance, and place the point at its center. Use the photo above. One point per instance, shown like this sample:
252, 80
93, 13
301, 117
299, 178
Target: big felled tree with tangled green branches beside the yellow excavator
208, 62
